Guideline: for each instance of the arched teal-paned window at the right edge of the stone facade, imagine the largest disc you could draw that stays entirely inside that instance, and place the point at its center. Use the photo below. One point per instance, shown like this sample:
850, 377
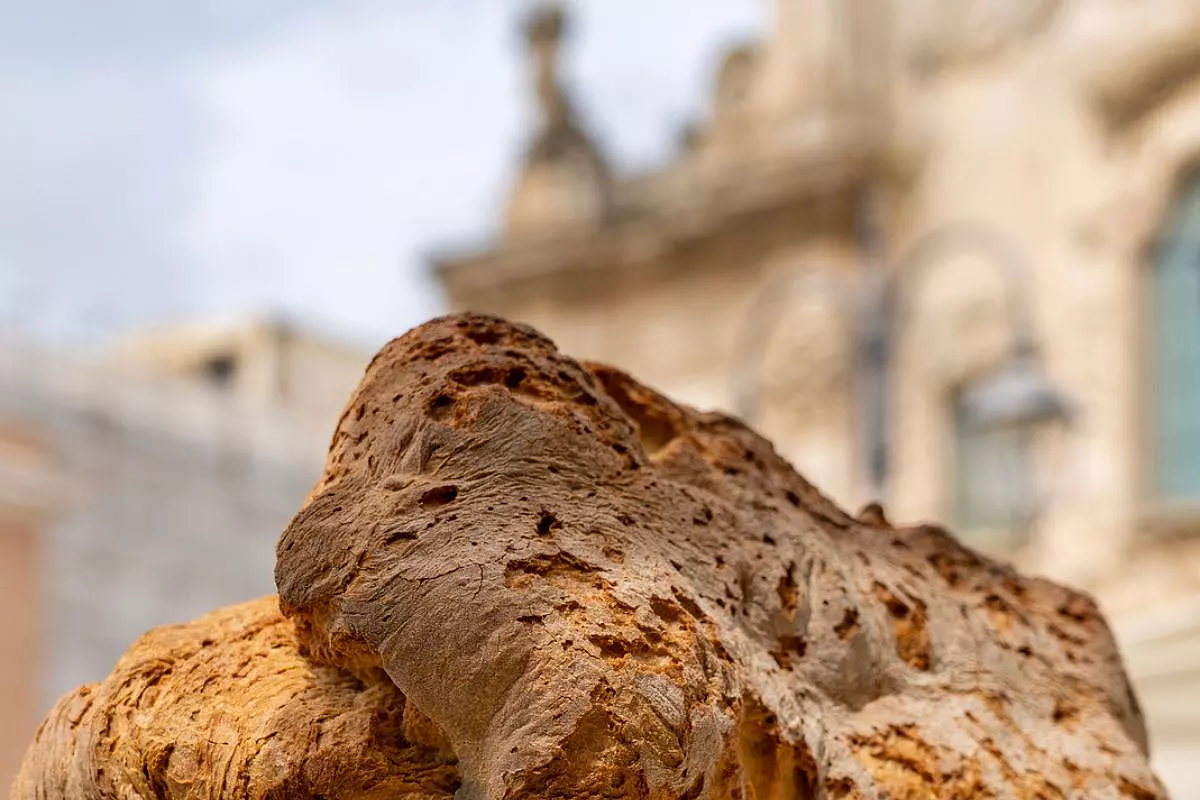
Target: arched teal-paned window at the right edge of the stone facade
1173, 317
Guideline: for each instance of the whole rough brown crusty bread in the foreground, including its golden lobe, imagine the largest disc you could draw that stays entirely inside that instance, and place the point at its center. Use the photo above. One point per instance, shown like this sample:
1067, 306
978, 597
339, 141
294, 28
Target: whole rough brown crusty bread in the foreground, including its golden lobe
591, 592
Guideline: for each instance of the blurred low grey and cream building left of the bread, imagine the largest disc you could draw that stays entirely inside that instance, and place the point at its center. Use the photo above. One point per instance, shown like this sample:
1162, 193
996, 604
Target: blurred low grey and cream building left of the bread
147, 488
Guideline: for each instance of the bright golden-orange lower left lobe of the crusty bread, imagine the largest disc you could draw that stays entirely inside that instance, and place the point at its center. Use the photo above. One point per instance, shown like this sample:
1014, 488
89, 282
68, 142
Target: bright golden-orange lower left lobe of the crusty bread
226, 707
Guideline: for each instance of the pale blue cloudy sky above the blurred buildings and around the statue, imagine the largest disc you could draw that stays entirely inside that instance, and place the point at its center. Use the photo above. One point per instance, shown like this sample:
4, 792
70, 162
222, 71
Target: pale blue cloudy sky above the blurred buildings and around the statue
215, 158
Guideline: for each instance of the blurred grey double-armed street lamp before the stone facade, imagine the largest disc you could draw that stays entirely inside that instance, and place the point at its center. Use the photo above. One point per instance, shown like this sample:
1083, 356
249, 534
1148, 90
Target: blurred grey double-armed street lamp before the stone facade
1017, 398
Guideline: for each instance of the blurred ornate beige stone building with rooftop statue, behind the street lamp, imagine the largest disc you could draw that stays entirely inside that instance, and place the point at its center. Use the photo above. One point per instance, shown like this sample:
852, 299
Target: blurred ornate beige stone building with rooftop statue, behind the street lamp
847, 141
